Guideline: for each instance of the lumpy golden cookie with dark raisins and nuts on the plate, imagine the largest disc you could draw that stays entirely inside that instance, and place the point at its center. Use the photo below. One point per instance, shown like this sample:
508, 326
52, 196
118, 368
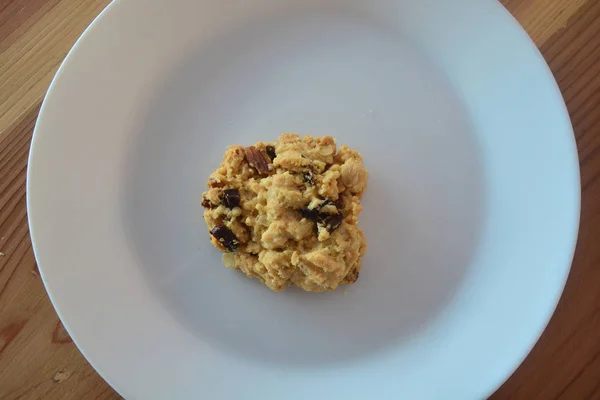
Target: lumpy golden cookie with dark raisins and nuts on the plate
286, 213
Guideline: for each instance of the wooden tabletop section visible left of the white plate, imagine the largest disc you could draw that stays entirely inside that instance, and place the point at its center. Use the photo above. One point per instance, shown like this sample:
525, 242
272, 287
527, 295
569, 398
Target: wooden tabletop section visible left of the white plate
37, 358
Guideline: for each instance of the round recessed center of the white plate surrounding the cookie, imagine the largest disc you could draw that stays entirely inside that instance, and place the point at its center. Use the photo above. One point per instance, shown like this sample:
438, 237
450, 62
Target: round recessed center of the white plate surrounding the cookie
318, 75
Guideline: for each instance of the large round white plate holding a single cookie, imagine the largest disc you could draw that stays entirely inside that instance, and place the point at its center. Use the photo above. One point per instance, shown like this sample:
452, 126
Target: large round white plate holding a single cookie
471, 213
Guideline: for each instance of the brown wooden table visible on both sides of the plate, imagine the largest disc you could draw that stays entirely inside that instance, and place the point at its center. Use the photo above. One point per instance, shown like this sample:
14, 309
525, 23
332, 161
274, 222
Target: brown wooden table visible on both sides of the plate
38, 359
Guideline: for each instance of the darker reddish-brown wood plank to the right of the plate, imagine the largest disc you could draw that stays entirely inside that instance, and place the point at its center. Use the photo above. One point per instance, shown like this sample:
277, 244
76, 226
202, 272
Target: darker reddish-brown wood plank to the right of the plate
565, 363
